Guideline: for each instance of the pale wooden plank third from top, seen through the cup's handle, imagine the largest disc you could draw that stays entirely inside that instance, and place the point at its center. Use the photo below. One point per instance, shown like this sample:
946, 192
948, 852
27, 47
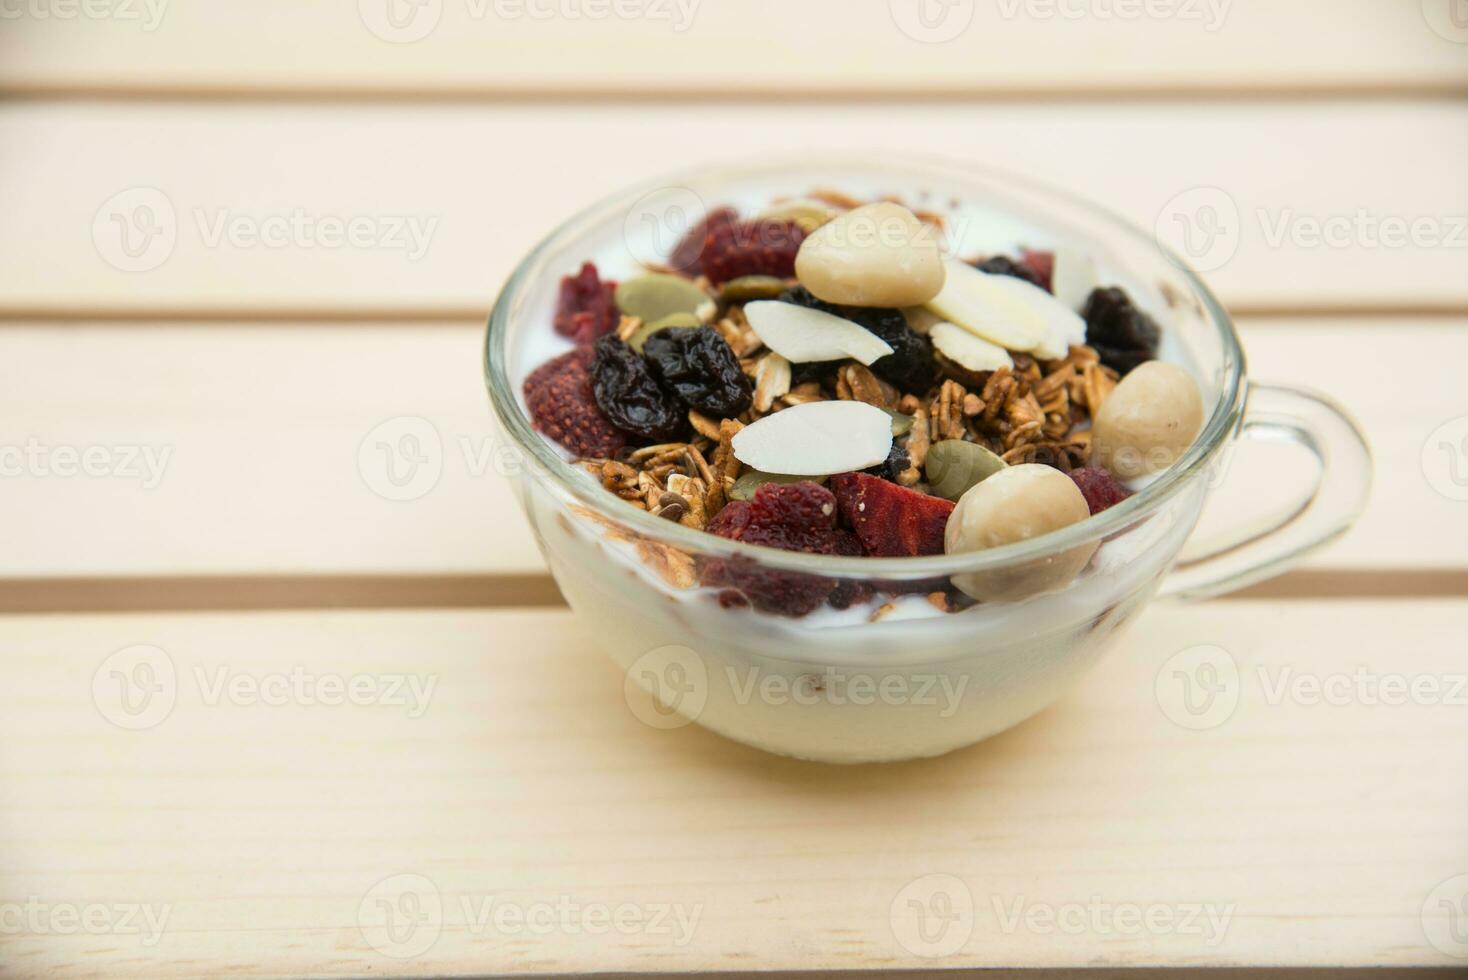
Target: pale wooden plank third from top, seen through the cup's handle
256, 434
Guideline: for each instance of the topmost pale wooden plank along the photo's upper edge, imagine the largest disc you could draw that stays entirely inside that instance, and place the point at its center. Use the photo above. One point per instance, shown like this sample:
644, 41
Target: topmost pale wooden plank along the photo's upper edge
755, 48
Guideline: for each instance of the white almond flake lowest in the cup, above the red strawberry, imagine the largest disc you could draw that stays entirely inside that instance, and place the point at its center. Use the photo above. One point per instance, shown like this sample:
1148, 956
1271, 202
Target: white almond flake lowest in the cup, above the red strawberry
817, 439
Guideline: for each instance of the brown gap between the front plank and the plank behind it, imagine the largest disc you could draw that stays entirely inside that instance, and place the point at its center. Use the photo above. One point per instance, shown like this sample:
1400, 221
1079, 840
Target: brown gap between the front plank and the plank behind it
259, 593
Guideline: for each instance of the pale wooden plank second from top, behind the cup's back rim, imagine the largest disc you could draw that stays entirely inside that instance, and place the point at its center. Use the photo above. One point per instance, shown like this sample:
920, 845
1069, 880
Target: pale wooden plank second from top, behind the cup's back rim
224, 205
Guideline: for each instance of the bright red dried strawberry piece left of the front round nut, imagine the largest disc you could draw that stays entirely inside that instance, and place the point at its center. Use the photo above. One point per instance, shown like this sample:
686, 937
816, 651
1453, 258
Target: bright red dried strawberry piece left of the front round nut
889, 520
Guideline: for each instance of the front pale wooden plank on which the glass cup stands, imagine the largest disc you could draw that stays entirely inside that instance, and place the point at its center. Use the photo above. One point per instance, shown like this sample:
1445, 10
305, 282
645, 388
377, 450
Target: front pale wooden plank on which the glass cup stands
261, 835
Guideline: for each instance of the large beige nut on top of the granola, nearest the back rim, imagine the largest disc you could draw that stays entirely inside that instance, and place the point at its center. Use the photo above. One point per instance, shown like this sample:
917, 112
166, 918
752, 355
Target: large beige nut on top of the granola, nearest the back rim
877, 256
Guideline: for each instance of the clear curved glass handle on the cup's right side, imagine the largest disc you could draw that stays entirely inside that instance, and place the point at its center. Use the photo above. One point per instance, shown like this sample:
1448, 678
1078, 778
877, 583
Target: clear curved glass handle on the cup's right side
1249, 555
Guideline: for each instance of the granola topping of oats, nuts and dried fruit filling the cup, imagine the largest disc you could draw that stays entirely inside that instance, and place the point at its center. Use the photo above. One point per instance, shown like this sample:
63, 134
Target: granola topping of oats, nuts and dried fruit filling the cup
821, 378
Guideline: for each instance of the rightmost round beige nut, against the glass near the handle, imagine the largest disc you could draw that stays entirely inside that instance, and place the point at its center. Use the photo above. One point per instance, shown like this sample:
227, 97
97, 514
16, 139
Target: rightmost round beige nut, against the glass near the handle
1149, 422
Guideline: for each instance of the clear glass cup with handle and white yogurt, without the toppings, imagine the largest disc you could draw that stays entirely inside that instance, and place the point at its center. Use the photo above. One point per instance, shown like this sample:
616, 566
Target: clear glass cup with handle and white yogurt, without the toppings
839, 686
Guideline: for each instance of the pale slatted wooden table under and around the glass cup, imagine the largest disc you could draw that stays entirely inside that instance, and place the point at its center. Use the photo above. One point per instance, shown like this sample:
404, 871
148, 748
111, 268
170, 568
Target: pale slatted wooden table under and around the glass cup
484, 802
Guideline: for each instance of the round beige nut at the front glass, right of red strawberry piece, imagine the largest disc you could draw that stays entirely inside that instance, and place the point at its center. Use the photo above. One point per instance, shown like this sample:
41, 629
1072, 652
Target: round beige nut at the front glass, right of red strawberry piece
1015, 505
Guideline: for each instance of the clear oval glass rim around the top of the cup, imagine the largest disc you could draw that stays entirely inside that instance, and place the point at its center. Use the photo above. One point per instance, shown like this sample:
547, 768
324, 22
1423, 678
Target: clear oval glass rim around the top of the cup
578, 483
